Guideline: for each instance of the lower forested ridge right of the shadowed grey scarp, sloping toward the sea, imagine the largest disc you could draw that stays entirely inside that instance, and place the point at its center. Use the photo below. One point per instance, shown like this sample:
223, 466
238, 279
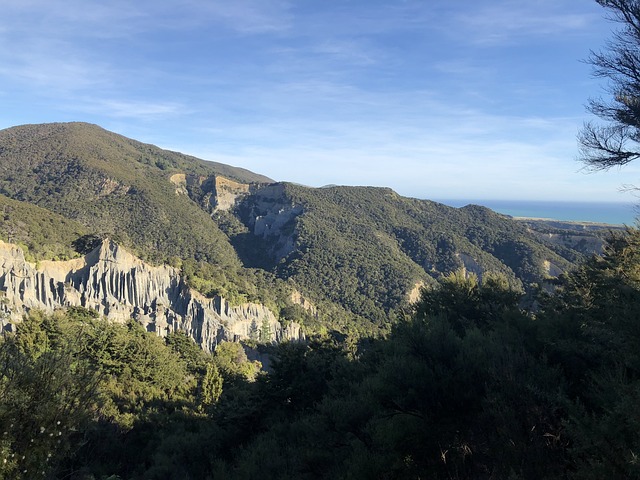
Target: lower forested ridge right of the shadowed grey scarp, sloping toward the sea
367, 248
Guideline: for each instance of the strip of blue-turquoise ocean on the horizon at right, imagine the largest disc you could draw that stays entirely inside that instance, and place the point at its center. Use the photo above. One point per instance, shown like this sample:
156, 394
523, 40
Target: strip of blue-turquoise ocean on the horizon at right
598, 212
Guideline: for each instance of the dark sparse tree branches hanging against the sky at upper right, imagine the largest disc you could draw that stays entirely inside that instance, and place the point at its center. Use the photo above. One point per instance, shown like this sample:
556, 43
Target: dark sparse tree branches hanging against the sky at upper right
617, 142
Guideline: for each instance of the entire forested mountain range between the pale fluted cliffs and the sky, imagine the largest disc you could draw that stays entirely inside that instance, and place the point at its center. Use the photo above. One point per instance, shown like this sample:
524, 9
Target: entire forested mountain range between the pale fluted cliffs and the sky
356, 253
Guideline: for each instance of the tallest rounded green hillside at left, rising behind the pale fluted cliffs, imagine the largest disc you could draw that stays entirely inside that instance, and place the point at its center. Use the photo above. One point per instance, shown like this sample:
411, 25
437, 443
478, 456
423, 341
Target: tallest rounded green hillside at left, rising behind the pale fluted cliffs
116, 187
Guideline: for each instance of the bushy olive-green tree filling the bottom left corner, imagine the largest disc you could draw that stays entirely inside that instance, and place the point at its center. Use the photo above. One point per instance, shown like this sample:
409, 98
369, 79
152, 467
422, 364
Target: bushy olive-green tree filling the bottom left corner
48, 395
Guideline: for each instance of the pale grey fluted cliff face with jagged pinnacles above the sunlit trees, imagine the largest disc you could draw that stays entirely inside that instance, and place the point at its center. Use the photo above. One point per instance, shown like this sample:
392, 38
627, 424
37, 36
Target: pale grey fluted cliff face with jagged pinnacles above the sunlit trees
120, 286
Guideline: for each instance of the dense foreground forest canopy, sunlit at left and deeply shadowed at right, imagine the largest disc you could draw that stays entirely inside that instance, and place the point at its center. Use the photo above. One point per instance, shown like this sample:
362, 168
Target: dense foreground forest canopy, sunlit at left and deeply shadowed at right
468, 385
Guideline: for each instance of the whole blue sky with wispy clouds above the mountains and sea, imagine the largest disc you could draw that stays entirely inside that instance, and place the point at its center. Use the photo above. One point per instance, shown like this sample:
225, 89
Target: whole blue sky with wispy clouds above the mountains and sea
436, 99
